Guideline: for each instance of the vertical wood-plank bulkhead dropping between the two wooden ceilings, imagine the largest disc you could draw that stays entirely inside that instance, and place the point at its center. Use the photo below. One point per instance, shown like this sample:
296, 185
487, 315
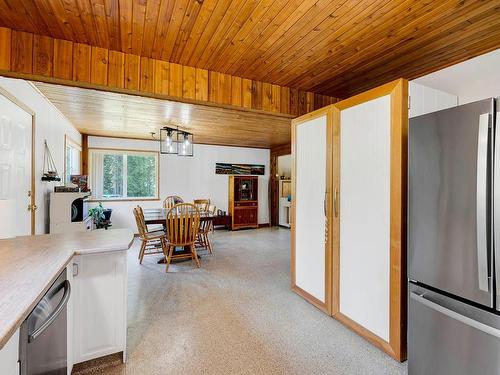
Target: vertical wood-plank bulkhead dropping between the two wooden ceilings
42, 58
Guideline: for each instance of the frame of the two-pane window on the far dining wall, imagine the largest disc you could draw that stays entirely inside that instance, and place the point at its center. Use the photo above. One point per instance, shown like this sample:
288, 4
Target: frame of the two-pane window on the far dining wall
123, 151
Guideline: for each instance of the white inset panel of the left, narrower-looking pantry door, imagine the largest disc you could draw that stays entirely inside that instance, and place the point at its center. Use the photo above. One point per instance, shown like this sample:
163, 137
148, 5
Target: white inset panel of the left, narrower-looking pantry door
310, 190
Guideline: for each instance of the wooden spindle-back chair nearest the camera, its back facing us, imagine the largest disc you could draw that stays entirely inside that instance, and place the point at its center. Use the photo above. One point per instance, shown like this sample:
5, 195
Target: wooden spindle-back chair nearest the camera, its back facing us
183, 223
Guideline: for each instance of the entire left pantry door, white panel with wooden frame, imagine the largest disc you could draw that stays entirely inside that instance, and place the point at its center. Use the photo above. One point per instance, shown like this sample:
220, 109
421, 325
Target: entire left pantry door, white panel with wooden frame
311, 181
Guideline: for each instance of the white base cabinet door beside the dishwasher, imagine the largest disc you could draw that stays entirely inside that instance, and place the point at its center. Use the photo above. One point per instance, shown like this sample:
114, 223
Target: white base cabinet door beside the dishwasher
100, 286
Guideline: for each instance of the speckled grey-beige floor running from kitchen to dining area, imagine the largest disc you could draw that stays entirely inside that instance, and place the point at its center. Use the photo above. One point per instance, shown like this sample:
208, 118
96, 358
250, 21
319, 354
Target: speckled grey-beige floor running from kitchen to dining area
235, 315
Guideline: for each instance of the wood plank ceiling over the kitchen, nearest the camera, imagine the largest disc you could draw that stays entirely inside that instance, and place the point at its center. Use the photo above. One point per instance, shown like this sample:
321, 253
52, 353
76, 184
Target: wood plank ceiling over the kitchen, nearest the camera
332, 47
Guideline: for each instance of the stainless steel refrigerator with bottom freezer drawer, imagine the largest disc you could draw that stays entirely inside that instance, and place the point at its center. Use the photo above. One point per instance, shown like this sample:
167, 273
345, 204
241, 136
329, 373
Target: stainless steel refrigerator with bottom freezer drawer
454, 241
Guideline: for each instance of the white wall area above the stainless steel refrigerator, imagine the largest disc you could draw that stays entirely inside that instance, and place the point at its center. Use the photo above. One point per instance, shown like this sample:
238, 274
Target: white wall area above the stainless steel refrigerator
475, 79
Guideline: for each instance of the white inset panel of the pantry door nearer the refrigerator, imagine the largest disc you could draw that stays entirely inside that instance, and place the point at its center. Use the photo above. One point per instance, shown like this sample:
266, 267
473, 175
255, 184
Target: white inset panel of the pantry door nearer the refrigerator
365, 160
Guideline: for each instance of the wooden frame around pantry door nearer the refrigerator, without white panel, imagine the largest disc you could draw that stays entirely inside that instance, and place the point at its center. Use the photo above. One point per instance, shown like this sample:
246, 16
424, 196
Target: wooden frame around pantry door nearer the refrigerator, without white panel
398, 91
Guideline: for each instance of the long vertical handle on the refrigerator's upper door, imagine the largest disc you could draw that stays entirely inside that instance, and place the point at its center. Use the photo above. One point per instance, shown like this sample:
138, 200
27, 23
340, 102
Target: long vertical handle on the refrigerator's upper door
482, 202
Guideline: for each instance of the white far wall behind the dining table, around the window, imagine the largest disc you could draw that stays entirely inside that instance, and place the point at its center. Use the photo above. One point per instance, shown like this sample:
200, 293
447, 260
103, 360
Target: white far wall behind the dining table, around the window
189, 177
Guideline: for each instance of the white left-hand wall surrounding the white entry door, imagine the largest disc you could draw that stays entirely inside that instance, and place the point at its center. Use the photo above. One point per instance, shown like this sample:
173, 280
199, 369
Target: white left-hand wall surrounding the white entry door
50, 125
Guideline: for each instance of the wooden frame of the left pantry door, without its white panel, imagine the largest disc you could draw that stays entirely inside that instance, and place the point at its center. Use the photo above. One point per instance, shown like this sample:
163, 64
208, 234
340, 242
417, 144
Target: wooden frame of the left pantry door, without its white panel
324, 306
